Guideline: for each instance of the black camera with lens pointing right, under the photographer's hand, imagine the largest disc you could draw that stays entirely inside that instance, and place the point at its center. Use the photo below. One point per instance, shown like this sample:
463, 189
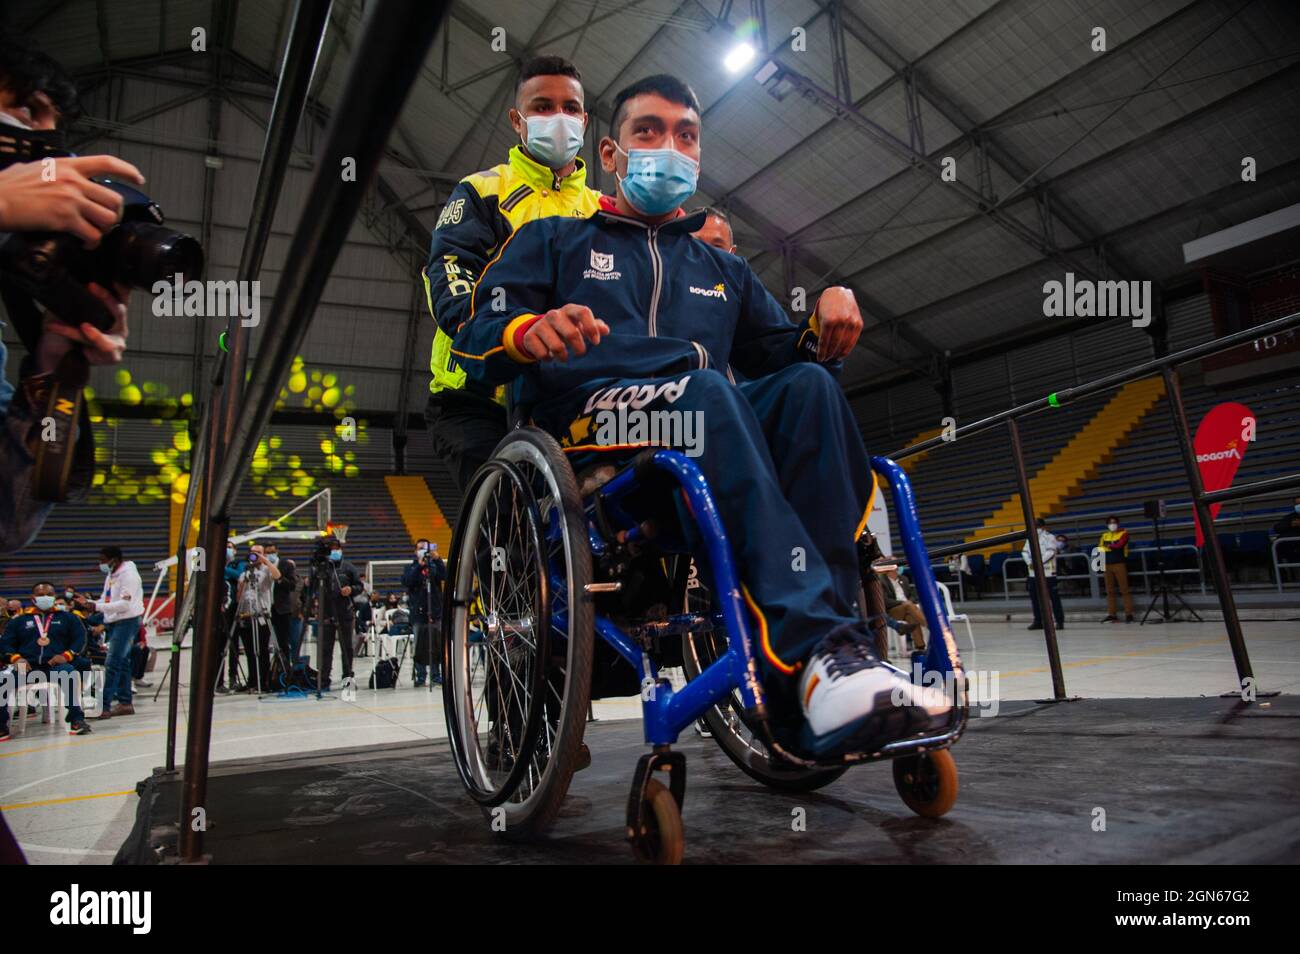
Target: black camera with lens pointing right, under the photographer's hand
140, 251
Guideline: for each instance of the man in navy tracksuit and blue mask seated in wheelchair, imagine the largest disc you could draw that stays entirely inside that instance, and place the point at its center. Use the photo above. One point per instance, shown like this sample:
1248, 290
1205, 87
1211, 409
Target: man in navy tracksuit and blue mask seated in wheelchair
626, 311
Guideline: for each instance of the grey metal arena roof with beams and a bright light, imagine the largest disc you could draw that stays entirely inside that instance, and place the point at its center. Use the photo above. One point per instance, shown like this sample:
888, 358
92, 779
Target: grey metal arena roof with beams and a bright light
1068, 158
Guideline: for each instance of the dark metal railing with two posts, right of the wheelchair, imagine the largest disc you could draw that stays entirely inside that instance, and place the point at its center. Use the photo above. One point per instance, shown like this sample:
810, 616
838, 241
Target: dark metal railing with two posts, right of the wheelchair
1167, 367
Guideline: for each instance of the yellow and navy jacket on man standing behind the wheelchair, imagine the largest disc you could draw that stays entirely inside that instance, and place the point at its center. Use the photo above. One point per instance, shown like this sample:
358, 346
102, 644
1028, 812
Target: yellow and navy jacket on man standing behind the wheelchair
482, 215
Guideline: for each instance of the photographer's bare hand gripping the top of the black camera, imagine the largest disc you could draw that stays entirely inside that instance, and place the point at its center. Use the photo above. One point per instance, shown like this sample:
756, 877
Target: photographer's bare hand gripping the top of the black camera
32, 201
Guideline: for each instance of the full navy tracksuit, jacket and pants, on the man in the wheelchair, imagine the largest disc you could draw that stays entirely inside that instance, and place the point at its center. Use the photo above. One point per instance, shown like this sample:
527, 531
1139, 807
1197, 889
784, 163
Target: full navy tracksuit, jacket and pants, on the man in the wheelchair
781, 449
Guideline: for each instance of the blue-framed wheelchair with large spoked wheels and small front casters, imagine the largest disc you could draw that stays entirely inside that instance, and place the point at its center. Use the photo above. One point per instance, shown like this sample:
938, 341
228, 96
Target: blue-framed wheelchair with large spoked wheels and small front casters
571, 580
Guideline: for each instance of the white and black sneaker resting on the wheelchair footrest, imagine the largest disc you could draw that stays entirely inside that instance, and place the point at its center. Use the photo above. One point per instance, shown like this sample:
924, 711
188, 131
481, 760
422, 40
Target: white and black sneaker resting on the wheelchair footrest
853, 703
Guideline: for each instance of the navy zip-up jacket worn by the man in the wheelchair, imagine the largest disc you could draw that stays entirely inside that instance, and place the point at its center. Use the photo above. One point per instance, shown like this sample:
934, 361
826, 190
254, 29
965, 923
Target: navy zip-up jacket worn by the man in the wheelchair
673, 303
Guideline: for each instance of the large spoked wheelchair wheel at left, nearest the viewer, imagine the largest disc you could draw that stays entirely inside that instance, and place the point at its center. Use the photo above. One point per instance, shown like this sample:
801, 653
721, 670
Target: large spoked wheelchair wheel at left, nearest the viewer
521, 552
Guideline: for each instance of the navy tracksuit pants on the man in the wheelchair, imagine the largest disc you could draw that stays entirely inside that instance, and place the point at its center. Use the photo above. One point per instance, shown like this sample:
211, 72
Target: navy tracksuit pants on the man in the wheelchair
786, 463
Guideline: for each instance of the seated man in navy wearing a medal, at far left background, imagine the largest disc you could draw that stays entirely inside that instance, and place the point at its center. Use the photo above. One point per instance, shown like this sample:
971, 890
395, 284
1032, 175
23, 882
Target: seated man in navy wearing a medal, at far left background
51, 643
